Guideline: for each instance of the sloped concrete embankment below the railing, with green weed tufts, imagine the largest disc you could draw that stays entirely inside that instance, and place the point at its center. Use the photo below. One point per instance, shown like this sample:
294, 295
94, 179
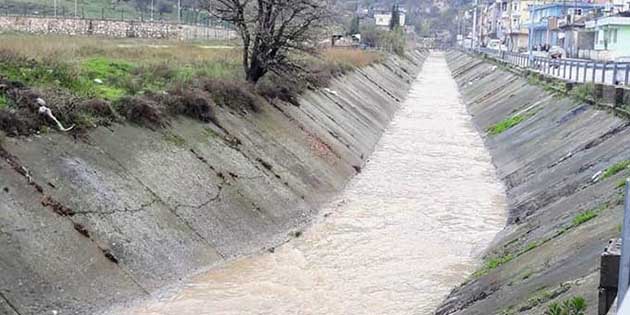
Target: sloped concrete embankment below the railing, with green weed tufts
562, 162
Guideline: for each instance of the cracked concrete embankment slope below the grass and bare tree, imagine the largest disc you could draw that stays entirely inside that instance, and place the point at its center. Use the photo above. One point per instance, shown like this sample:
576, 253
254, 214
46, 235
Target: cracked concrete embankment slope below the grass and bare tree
87, 223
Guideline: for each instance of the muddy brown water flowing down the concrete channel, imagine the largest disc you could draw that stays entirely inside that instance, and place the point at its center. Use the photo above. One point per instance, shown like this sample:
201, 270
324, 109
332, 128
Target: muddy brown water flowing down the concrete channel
406, 230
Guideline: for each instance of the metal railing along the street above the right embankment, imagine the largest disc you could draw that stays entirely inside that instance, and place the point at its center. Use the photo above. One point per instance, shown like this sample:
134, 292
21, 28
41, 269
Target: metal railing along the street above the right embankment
576, 70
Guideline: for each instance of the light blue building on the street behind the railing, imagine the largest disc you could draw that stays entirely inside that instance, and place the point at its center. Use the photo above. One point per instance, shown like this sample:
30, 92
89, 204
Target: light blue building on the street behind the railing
544, 28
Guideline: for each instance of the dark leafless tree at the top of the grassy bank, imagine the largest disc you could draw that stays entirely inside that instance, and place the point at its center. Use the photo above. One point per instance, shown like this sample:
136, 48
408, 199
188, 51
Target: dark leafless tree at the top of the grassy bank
272, 29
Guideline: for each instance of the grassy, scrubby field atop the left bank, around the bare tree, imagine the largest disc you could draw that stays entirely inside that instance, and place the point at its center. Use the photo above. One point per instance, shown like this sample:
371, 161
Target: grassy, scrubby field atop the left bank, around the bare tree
90, 81
